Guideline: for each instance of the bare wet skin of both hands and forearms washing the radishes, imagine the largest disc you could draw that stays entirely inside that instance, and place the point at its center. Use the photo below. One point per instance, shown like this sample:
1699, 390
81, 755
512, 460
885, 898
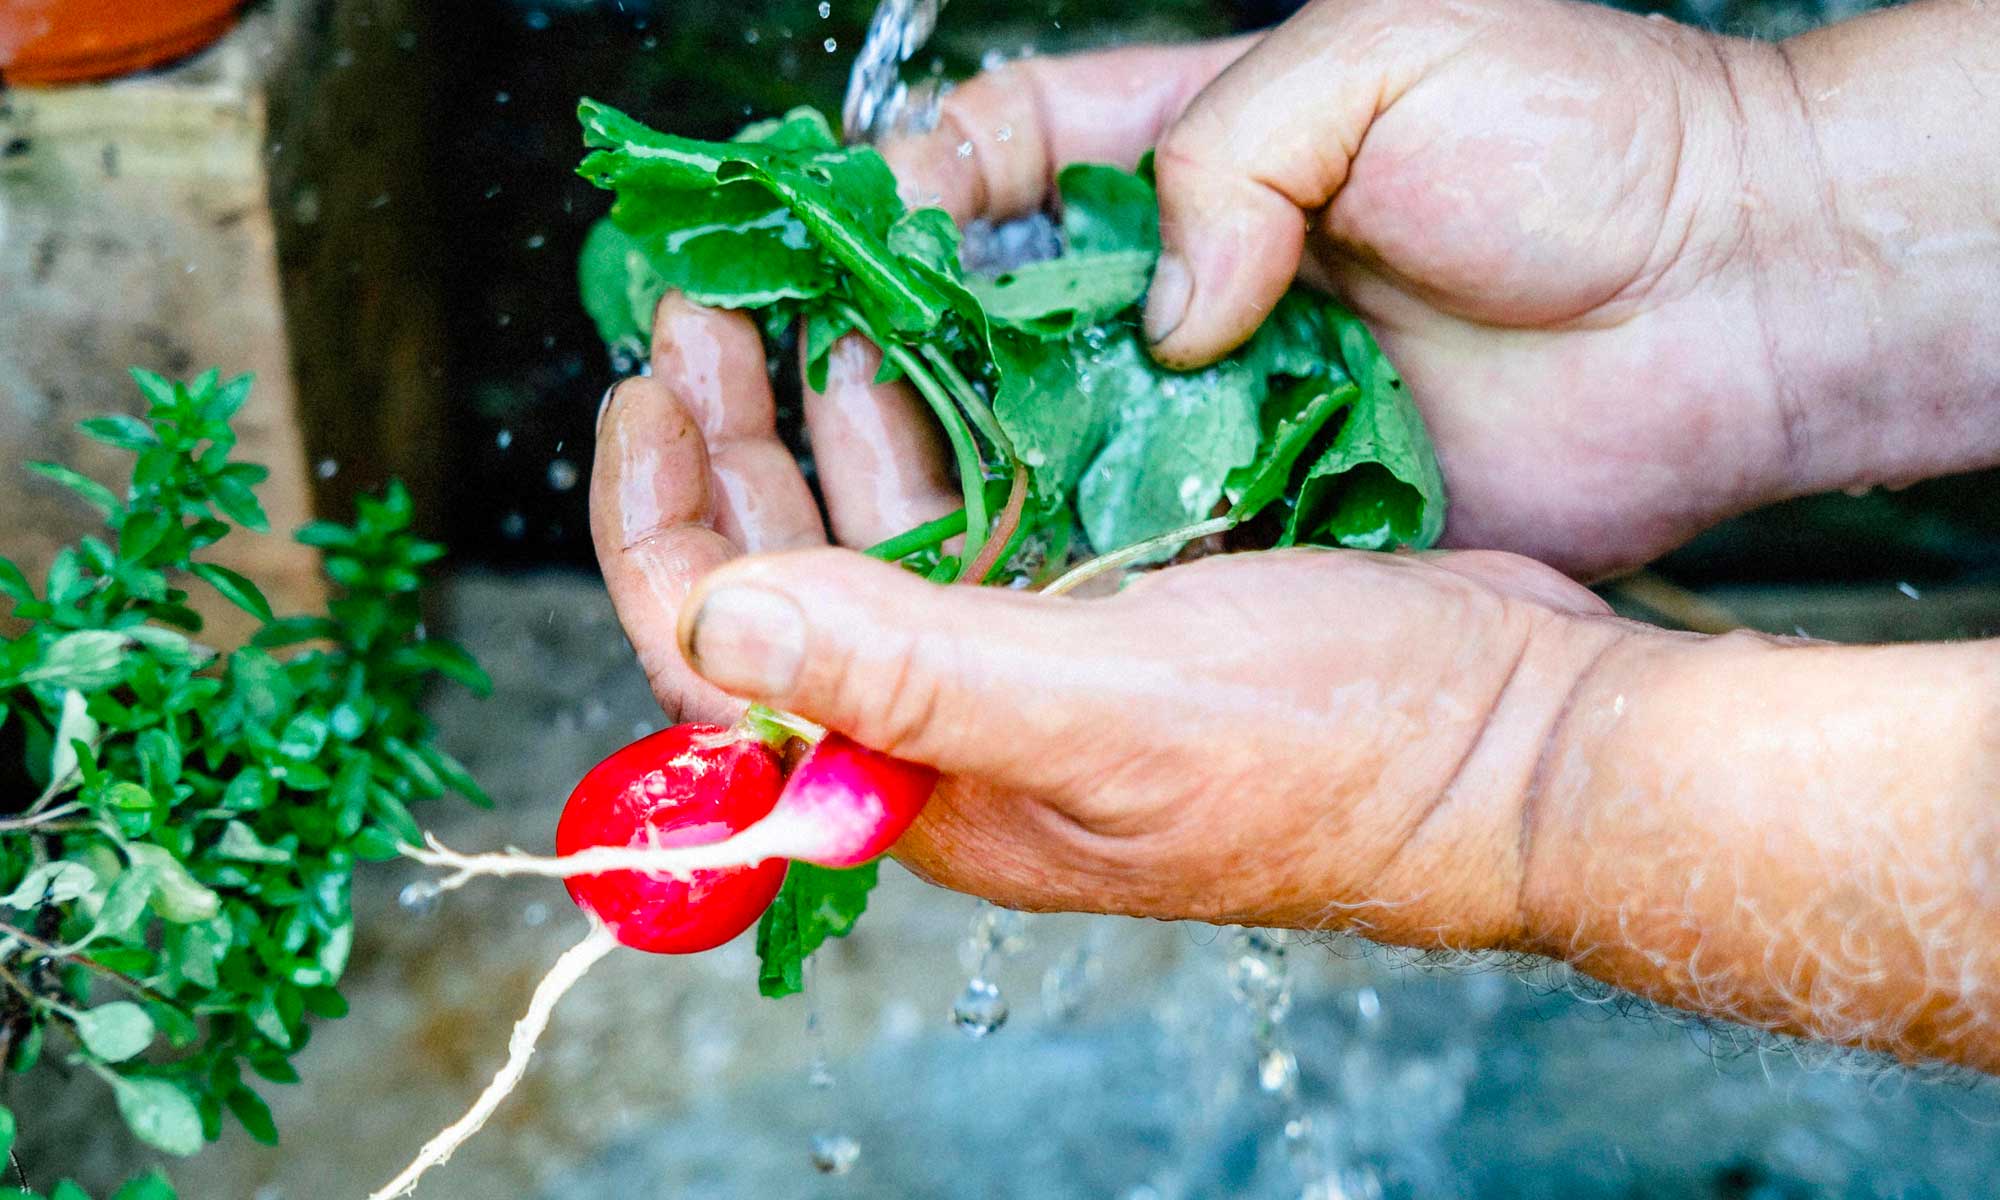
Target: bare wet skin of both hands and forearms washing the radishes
1639, 279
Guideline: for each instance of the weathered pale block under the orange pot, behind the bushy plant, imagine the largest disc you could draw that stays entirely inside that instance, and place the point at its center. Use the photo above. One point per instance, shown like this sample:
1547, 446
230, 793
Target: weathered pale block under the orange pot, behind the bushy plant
135, 231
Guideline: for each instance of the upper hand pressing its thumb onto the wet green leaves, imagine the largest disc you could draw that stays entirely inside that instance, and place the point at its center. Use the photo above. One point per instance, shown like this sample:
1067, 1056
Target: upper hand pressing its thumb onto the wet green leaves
1543, 209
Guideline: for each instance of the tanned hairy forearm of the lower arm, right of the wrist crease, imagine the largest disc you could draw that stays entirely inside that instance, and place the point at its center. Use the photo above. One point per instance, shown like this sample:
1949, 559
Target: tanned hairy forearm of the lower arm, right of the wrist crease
1803, 839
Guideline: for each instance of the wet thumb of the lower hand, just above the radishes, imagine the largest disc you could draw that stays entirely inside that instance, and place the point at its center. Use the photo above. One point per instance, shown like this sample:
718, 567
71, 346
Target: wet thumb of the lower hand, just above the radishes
959, 679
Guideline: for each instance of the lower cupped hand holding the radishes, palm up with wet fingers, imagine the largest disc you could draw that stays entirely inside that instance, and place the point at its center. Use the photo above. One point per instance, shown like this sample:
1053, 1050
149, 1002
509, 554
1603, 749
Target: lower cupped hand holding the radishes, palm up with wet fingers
1287, 773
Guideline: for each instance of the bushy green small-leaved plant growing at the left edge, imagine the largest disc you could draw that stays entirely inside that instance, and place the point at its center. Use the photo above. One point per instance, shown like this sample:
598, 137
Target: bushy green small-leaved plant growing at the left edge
179, 829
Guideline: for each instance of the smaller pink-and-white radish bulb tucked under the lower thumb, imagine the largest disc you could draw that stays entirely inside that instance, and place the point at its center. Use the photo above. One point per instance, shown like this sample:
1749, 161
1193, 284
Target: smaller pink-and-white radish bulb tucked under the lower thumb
847, 803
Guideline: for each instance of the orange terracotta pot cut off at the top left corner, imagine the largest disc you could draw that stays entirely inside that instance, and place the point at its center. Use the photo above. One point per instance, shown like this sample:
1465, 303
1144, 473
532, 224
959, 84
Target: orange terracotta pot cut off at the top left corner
75, 41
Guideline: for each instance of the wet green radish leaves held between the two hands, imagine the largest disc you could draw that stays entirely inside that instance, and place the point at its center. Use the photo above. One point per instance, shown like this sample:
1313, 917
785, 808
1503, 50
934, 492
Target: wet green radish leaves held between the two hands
1059, 419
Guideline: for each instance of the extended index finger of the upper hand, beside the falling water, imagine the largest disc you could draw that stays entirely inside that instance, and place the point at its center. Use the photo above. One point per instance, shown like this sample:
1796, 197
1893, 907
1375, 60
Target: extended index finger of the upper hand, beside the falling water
1005, 135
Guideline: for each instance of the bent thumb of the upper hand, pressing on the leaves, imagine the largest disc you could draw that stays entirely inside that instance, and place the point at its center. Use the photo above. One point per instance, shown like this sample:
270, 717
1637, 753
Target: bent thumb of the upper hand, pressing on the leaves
1259, 151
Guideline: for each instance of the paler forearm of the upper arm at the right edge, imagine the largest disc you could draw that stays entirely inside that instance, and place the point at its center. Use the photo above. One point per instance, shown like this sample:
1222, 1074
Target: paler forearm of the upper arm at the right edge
1881, 237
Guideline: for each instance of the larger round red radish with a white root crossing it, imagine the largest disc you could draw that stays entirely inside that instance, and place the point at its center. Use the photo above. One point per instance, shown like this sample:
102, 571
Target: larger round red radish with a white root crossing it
685, 787
